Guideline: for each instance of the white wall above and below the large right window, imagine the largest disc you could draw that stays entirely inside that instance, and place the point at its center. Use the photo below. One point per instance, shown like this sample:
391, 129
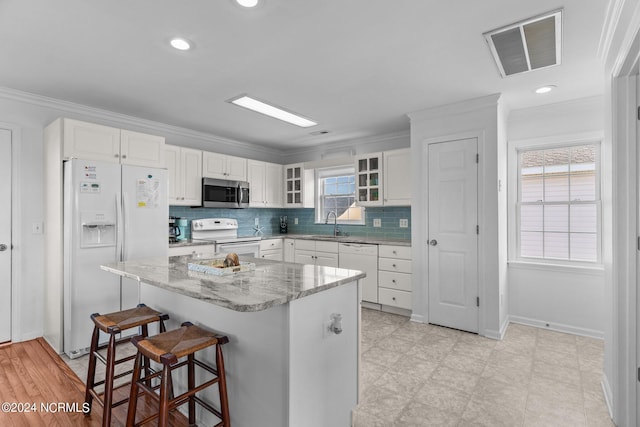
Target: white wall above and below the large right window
567, 299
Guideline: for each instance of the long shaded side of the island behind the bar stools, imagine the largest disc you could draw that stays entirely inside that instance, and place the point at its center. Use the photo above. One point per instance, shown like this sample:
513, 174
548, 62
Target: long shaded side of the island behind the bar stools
255, 357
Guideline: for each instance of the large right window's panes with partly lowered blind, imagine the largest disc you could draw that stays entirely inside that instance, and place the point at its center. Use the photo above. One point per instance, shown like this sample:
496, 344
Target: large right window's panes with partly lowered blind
559, 203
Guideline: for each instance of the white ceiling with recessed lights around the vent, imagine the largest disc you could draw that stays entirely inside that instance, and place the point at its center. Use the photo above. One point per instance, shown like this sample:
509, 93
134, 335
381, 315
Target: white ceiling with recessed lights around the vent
356, 67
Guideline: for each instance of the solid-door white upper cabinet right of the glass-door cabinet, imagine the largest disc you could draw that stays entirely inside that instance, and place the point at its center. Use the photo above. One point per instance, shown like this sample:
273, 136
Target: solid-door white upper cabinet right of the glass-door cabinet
397, 177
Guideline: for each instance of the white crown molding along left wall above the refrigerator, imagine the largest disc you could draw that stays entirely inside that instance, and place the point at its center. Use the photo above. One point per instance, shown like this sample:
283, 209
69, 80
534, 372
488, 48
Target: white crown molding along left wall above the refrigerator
97, 113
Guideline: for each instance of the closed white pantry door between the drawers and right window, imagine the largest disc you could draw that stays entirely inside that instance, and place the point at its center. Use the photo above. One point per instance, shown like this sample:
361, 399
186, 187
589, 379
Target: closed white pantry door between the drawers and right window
453, 238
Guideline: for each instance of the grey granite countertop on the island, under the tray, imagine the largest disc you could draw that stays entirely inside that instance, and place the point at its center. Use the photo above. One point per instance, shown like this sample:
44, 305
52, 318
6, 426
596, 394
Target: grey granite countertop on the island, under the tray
272, 283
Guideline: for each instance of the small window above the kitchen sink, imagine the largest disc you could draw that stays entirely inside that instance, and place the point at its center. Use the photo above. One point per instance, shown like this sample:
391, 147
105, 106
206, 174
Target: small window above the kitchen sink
337, 193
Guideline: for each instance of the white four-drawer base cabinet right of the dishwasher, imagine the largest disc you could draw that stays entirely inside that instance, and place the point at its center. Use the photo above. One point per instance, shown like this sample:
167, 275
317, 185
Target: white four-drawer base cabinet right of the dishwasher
394, 276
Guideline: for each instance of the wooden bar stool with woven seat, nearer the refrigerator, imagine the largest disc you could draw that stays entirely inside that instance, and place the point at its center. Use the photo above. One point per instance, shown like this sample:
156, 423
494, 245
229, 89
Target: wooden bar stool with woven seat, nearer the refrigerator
113, 324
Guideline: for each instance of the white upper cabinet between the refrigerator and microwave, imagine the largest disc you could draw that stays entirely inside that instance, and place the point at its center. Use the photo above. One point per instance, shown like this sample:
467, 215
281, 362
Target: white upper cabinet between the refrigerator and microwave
185, 175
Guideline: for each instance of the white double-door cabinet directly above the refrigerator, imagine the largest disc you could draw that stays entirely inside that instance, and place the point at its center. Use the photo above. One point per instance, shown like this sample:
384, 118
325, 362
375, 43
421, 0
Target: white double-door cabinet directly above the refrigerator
91, 141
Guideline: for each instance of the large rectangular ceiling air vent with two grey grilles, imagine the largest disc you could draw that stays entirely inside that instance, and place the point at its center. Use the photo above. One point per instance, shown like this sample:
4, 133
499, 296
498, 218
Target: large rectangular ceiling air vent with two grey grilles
527, 45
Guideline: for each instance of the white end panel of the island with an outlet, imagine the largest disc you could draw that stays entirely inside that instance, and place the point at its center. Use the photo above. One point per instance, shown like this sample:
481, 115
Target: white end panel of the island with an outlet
323, 381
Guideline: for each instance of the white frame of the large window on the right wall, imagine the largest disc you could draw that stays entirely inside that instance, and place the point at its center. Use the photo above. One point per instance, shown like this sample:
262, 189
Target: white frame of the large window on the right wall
514, 150
